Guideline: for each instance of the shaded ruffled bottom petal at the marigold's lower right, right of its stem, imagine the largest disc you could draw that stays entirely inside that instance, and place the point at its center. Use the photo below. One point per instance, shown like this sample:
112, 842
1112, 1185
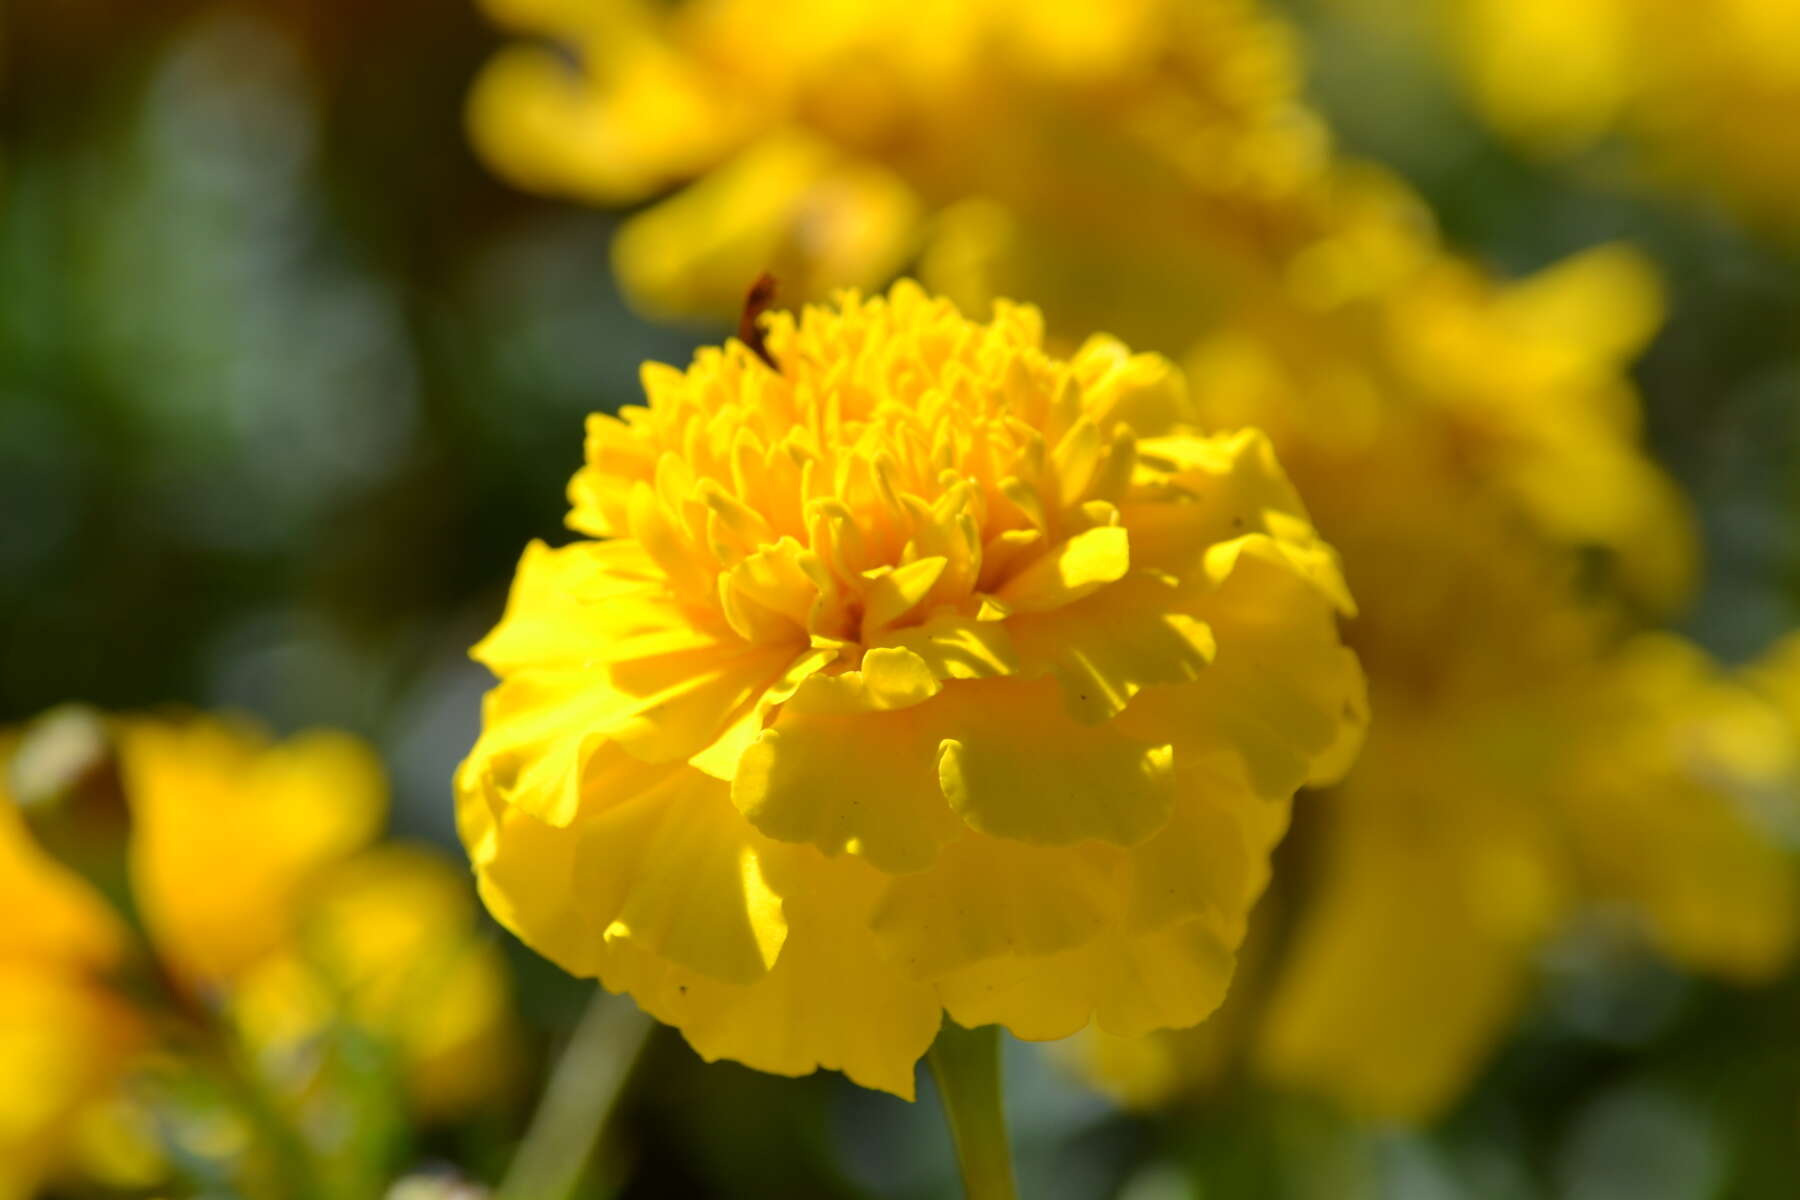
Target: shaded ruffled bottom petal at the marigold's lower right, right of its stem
1043, 942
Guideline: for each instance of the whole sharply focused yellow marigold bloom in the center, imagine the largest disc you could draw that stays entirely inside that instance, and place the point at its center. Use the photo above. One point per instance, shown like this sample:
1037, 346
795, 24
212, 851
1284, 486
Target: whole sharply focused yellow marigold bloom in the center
922, 674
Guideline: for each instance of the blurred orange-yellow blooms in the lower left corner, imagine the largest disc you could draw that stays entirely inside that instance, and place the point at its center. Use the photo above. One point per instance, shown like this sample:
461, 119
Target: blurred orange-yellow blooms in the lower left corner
267, 915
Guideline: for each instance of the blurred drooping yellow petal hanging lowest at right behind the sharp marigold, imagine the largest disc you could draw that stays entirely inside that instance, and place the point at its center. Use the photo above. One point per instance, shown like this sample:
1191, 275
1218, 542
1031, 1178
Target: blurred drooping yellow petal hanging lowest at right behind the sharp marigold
1412, 954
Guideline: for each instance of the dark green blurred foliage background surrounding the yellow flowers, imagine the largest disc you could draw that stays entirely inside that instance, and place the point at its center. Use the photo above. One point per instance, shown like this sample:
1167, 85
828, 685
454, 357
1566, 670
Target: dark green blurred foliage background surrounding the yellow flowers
289, 379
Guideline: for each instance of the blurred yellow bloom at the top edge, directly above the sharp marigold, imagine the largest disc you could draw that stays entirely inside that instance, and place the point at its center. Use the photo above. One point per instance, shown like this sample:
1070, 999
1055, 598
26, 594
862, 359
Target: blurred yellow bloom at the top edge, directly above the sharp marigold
827, 136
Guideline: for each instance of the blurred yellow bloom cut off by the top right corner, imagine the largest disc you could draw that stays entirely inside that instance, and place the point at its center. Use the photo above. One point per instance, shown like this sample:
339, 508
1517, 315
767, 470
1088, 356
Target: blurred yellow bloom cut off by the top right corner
1709, 93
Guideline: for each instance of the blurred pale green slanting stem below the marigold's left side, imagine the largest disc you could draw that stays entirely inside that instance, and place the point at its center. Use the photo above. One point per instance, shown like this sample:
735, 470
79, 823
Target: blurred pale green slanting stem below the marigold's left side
580, 1097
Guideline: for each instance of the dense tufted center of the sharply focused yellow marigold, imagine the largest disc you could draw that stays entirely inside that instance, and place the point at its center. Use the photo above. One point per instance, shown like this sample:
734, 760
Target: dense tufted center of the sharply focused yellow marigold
888, 470
